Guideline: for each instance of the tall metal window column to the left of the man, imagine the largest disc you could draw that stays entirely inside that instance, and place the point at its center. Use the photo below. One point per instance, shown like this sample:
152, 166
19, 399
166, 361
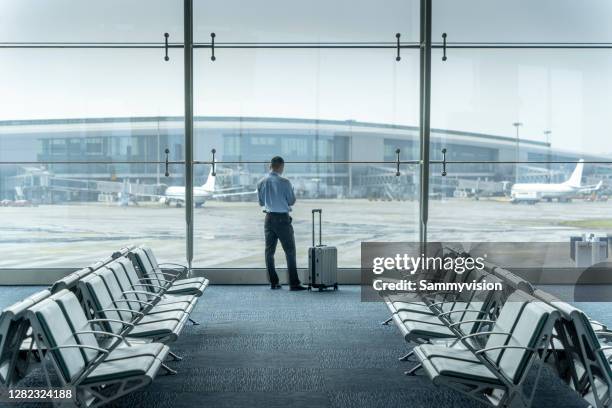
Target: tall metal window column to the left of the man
188, 66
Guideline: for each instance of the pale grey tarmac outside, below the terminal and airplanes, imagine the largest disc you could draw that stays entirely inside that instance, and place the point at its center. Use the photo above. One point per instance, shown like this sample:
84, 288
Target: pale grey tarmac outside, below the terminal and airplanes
230, 234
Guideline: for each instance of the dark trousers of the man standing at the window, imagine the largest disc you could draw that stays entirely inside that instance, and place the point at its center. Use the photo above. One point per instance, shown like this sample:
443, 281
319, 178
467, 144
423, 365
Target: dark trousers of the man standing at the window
278, 227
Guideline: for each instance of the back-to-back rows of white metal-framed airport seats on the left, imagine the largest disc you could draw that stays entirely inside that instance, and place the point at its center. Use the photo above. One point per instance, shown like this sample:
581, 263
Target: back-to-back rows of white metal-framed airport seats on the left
104, 330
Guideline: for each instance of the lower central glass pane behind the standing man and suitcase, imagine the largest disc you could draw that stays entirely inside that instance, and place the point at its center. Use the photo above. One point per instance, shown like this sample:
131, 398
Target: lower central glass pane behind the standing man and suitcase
360, 203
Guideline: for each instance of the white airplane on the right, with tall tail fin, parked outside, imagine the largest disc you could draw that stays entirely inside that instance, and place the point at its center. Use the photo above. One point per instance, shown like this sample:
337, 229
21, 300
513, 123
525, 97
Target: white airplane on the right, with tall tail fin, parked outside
531, 193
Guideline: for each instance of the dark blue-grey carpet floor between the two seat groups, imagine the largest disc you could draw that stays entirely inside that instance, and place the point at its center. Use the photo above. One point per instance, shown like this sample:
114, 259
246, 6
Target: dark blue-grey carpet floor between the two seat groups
261, 348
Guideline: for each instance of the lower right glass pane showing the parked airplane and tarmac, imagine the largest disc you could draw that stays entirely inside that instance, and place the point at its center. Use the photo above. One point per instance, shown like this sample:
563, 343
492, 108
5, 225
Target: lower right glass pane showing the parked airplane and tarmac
557, 236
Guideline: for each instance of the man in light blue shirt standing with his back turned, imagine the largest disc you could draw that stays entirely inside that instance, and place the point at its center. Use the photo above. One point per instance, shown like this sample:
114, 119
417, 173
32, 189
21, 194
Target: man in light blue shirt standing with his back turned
276, 196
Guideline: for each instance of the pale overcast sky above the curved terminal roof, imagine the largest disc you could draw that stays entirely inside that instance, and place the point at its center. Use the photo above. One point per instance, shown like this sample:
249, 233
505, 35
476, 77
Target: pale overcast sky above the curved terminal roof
566, 91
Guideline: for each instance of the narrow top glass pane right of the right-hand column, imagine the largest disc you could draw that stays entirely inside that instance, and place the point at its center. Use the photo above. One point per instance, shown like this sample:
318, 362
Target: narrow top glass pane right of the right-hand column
523, 20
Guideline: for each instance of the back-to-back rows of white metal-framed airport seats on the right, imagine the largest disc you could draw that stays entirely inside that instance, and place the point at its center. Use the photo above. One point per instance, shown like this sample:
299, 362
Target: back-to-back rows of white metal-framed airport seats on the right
484, 344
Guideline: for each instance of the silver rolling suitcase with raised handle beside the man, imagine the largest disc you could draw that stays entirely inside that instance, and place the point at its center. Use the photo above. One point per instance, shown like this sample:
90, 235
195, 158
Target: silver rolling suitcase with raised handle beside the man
322, 261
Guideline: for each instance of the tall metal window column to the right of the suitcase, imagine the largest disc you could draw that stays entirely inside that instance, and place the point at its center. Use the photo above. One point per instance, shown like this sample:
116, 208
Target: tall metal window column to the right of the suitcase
425, 105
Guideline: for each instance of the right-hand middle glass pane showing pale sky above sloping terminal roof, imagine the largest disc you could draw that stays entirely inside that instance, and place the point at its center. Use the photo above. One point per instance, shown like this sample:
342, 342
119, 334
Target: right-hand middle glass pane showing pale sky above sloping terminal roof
561, 97
